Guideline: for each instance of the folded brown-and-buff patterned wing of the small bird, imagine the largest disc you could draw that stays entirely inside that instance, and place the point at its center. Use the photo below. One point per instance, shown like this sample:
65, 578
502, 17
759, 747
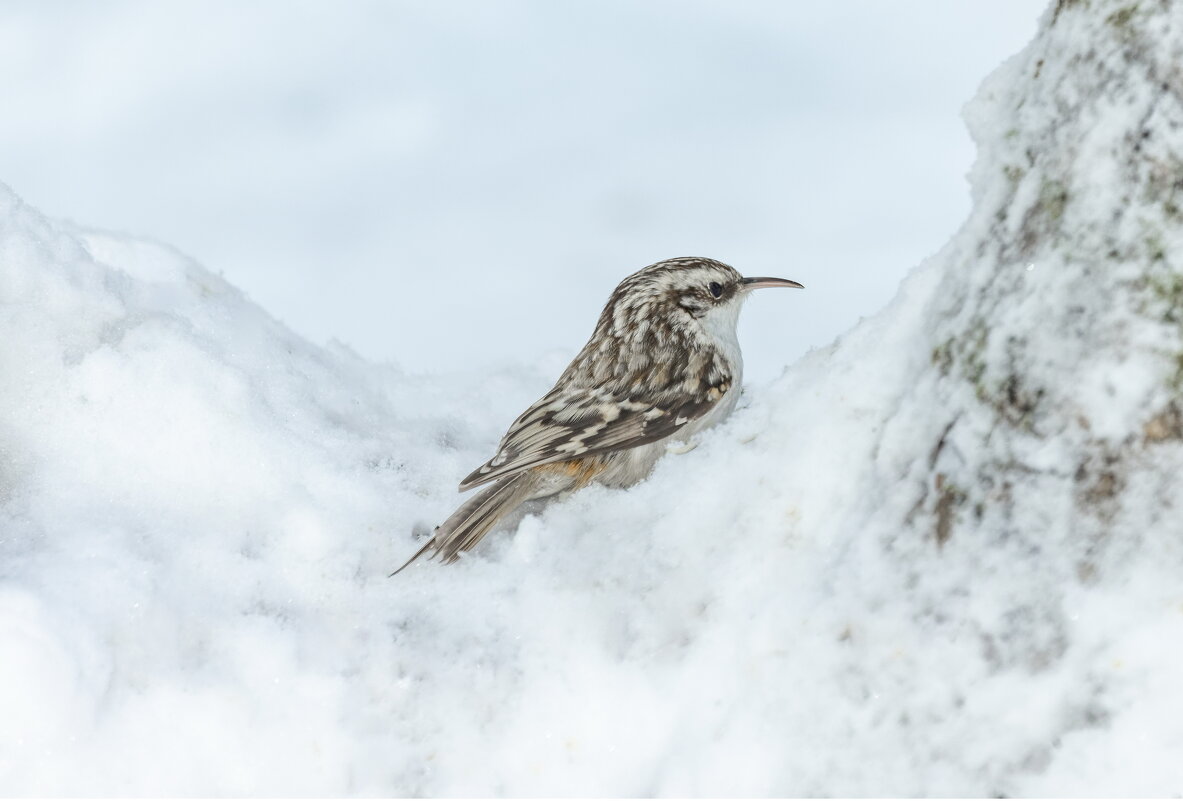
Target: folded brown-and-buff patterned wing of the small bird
581, 422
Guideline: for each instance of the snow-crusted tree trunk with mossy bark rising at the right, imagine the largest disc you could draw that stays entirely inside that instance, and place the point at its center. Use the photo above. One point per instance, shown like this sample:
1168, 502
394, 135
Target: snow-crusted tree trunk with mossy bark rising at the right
1027, 480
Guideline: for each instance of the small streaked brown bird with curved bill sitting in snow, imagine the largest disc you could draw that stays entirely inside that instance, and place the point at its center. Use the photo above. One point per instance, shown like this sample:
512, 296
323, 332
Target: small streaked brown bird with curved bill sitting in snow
663, 364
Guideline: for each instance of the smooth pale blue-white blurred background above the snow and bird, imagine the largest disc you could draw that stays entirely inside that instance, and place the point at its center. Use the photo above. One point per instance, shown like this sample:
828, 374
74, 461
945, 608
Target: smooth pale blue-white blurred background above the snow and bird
450, 185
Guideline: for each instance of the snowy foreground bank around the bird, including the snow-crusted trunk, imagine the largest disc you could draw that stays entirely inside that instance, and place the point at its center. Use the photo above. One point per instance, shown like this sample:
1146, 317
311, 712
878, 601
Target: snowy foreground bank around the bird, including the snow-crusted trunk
941, 557
